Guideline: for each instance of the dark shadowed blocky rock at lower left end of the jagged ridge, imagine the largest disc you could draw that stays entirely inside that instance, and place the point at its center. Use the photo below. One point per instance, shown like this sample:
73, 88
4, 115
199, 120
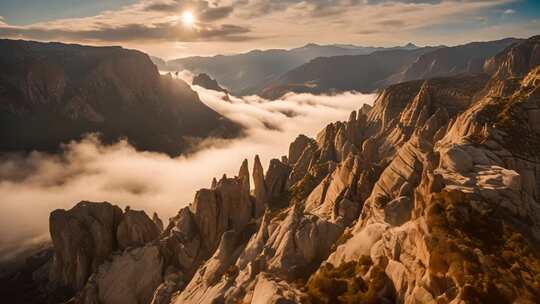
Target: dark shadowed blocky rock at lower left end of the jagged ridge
85, 236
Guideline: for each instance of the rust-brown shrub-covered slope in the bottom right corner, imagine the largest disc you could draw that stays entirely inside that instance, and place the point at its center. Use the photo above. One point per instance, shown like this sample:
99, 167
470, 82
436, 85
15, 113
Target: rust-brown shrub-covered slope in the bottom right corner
484, 253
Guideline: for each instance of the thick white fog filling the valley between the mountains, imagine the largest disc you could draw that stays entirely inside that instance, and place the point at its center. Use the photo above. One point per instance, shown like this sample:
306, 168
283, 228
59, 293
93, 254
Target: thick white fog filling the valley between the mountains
31, 187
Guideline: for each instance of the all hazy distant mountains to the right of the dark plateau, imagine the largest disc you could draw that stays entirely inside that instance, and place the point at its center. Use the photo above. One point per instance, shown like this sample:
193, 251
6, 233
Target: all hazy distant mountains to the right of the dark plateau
332, 68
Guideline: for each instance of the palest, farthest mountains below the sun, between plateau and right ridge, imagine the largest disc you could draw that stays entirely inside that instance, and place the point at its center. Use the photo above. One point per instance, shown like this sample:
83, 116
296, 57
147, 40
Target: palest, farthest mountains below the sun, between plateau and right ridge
250, 72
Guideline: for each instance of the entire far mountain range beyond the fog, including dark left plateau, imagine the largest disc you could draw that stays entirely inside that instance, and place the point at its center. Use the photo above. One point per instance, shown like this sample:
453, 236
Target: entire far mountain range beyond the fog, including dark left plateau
51, 93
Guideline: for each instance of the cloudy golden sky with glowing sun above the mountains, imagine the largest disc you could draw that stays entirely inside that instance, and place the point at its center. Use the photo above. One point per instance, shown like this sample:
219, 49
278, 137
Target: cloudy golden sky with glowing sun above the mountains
159, 27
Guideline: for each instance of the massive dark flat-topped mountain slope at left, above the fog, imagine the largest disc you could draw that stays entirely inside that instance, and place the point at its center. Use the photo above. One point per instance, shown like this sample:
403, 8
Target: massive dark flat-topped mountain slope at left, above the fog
52, 93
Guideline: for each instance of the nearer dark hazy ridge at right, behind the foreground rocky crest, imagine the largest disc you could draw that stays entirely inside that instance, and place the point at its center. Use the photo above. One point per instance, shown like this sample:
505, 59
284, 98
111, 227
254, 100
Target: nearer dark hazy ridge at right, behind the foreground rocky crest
367, 73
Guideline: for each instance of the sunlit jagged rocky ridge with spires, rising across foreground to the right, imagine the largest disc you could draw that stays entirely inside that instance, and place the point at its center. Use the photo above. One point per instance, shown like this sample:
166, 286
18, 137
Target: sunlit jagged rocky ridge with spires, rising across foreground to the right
430, 196
